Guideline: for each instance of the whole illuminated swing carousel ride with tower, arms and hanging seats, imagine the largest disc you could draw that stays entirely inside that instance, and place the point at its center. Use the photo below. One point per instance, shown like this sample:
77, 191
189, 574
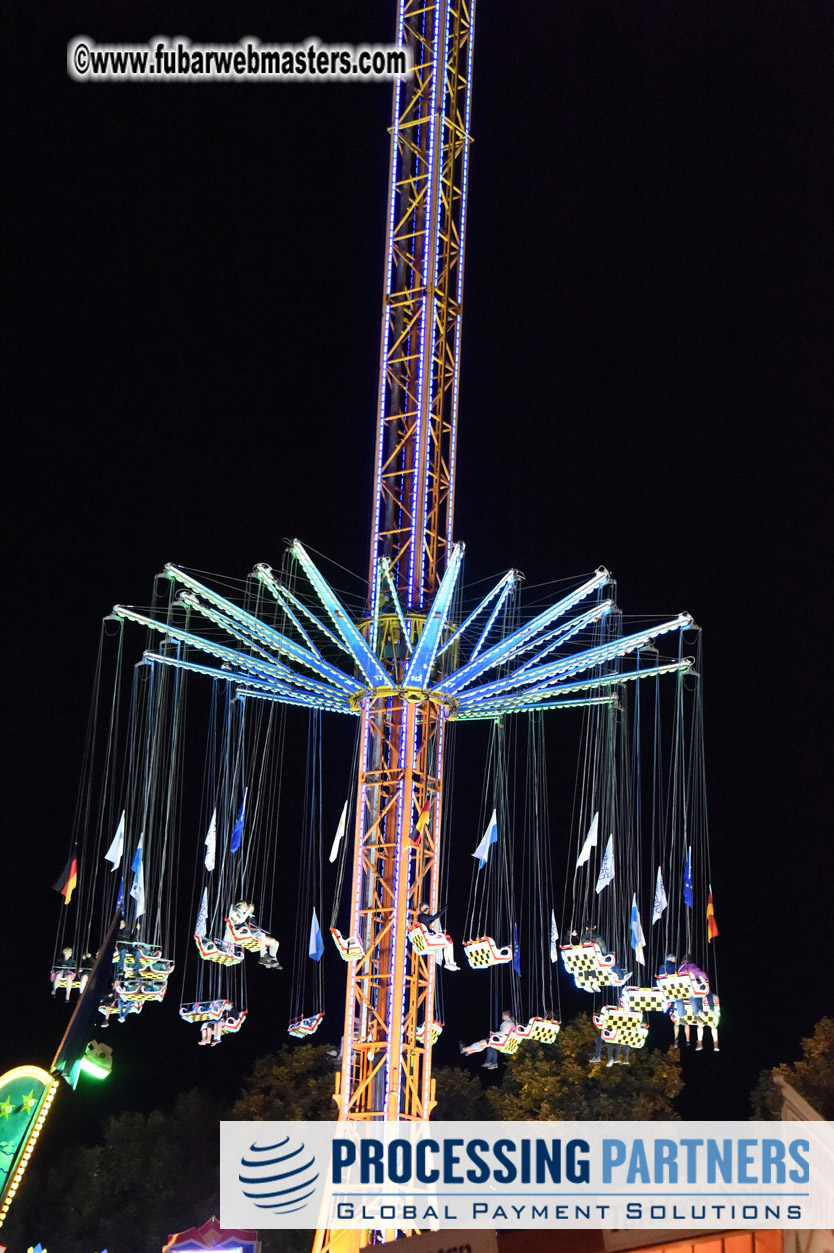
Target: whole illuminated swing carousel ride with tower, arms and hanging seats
418, 657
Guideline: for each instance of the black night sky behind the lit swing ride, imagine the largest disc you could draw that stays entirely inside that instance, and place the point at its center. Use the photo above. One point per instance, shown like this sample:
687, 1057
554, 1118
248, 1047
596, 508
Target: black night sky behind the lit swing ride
192, 346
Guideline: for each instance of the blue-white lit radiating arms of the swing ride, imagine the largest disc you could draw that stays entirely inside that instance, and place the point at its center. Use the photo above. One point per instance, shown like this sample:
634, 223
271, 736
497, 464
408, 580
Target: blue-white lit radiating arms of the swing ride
294, 648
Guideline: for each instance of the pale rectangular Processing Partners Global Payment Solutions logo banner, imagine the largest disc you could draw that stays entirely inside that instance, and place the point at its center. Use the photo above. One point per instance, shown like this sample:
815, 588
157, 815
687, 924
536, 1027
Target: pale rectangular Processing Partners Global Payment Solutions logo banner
528, 1176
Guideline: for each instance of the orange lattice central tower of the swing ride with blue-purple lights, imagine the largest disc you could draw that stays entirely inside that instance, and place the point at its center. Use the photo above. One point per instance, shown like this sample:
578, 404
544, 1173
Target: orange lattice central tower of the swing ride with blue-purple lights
386, 1067
